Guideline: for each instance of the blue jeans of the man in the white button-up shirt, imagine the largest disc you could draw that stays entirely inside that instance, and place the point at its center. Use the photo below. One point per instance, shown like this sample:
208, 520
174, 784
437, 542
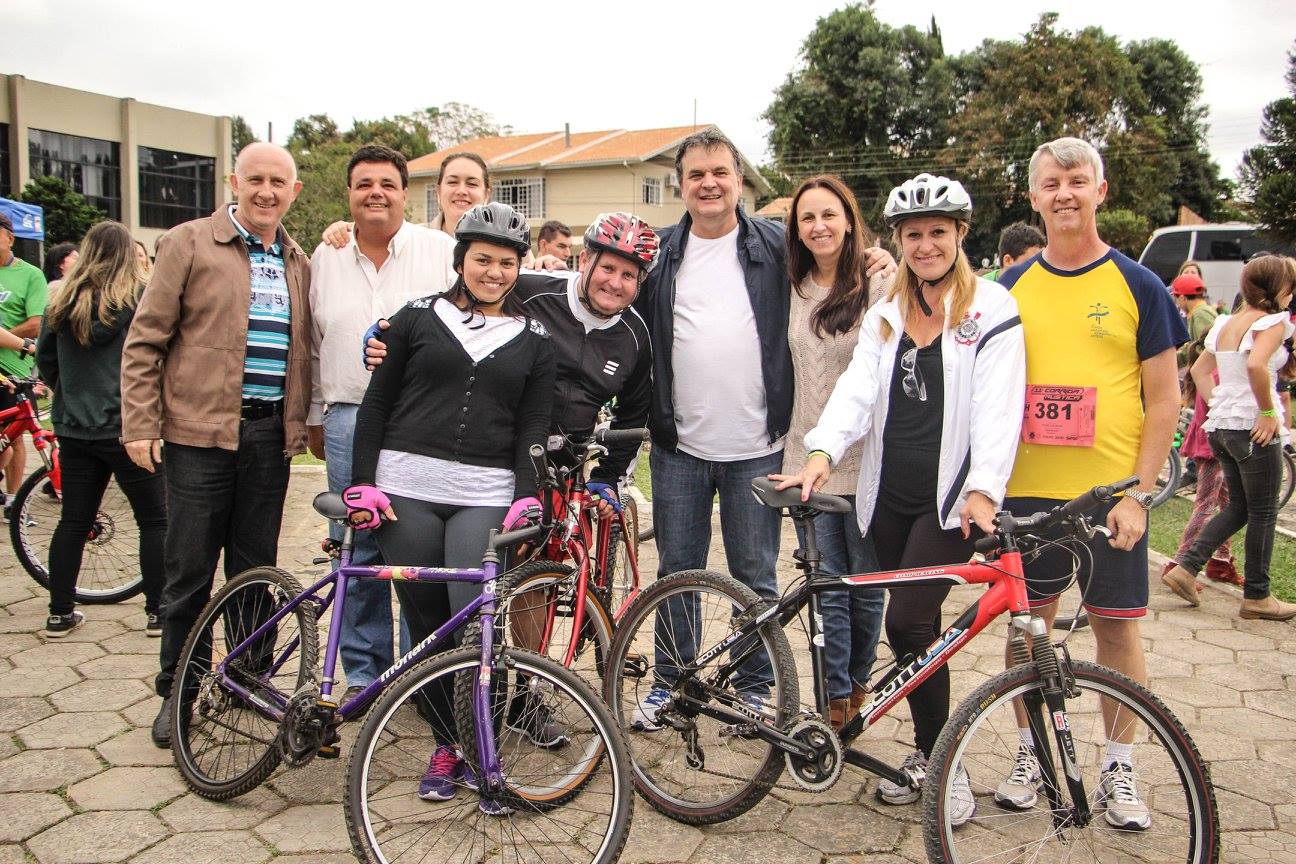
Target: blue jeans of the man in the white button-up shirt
366, 639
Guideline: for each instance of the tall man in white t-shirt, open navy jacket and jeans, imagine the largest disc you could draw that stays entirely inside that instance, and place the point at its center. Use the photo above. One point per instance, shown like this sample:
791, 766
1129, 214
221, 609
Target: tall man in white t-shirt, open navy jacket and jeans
717, 309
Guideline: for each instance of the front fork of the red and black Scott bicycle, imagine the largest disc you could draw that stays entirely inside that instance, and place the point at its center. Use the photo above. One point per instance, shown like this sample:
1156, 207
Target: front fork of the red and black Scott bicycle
1050, 703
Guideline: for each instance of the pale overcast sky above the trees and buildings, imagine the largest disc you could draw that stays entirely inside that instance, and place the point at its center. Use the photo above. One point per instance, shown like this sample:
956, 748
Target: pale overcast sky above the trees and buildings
540, 65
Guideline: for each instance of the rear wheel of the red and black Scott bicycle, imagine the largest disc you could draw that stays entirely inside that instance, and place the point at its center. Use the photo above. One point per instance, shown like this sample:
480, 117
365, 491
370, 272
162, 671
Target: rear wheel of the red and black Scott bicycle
693, 767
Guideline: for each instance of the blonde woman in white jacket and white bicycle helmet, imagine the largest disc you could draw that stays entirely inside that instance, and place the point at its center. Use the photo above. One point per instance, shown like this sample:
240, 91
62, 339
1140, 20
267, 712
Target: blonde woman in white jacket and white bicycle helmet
936, 391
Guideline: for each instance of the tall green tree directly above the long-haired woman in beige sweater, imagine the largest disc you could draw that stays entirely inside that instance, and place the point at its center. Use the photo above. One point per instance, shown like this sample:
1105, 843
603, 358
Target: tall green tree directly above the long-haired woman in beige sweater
868, 102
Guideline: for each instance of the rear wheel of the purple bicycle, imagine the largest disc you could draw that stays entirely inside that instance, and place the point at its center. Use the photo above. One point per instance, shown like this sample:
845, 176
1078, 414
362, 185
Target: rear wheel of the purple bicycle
224, 747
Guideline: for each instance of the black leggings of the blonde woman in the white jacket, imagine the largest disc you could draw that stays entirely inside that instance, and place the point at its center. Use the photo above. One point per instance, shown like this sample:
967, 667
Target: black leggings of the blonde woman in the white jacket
914, 613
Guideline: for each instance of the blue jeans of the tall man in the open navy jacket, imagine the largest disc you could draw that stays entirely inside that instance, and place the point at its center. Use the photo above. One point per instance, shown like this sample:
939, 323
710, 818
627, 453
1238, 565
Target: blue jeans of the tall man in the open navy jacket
684, 490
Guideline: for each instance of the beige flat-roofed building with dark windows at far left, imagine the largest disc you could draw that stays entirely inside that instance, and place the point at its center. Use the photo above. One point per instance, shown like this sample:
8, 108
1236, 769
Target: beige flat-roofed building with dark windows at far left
148, 166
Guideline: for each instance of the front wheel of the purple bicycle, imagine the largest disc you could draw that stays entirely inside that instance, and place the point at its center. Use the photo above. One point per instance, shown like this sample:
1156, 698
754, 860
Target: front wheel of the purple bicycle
564, 805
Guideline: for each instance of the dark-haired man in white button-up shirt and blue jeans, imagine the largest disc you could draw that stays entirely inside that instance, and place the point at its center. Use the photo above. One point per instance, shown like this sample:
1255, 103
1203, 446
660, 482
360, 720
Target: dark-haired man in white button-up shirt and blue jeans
386, 264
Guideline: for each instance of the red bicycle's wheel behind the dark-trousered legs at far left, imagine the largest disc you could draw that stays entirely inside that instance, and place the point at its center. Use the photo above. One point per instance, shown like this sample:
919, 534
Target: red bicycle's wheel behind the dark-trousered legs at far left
111, 567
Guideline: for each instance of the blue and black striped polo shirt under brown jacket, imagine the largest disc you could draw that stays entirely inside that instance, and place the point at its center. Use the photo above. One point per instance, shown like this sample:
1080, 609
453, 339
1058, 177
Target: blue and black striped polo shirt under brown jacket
269, 319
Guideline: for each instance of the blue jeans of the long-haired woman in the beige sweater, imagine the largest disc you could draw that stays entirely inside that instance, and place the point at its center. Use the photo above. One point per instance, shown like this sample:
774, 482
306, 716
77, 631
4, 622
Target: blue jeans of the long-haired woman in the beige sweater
852, 620
